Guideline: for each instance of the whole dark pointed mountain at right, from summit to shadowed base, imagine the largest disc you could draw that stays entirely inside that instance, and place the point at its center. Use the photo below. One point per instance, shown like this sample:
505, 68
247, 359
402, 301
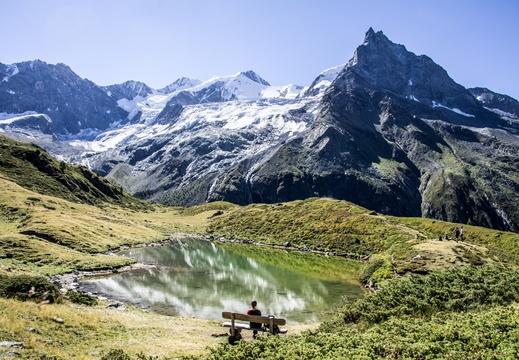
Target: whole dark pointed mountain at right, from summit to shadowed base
382, 141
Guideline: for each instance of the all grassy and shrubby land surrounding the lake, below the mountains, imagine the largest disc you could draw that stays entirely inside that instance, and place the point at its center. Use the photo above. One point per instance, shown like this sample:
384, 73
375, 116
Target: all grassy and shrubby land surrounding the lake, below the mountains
64, 221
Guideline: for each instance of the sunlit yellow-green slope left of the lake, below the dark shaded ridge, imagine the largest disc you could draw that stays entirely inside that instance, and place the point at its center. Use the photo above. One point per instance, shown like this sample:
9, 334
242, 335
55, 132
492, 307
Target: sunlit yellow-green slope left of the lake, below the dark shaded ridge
45, 234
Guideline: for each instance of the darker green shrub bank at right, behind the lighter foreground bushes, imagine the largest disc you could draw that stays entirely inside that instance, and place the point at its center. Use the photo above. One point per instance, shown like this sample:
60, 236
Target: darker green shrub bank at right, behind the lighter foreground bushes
457, 289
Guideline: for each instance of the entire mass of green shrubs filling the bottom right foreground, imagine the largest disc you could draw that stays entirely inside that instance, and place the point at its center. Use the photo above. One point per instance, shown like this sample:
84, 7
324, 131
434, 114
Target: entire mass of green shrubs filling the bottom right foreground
466, 313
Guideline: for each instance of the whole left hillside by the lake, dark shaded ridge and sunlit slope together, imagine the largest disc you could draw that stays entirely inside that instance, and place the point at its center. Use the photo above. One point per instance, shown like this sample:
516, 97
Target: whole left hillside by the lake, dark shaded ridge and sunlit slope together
56, 217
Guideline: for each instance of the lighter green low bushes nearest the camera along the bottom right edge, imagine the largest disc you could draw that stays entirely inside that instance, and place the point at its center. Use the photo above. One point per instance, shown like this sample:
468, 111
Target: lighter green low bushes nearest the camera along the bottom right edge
486, 334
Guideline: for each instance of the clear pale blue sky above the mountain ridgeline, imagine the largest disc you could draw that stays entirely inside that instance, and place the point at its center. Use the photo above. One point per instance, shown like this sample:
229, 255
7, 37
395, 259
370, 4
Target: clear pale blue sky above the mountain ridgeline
288, 41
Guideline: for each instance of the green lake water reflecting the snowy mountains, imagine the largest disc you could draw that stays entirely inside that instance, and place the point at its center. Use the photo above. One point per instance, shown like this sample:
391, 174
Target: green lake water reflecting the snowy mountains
202, 279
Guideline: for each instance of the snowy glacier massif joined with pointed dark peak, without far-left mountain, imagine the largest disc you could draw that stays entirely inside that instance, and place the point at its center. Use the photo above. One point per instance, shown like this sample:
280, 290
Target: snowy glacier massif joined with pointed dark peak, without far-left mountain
389, 130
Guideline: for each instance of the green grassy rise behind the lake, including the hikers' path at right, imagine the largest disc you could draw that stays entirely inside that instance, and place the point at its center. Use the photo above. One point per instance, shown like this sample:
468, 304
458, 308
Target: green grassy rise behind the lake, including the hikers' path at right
391, 244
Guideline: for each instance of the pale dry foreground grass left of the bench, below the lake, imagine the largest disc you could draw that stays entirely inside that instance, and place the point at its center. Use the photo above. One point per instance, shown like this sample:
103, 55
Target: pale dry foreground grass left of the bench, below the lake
90, 332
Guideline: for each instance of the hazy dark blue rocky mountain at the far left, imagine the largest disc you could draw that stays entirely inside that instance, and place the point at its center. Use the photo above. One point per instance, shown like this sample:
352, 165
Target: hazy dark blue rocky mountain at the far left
72, 103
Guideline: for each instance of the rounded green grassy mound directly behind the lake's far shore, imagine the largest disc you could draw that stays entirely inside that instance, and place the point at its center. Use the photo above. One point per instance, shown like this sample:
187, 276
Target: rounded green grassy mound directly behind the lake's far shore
317, 224
